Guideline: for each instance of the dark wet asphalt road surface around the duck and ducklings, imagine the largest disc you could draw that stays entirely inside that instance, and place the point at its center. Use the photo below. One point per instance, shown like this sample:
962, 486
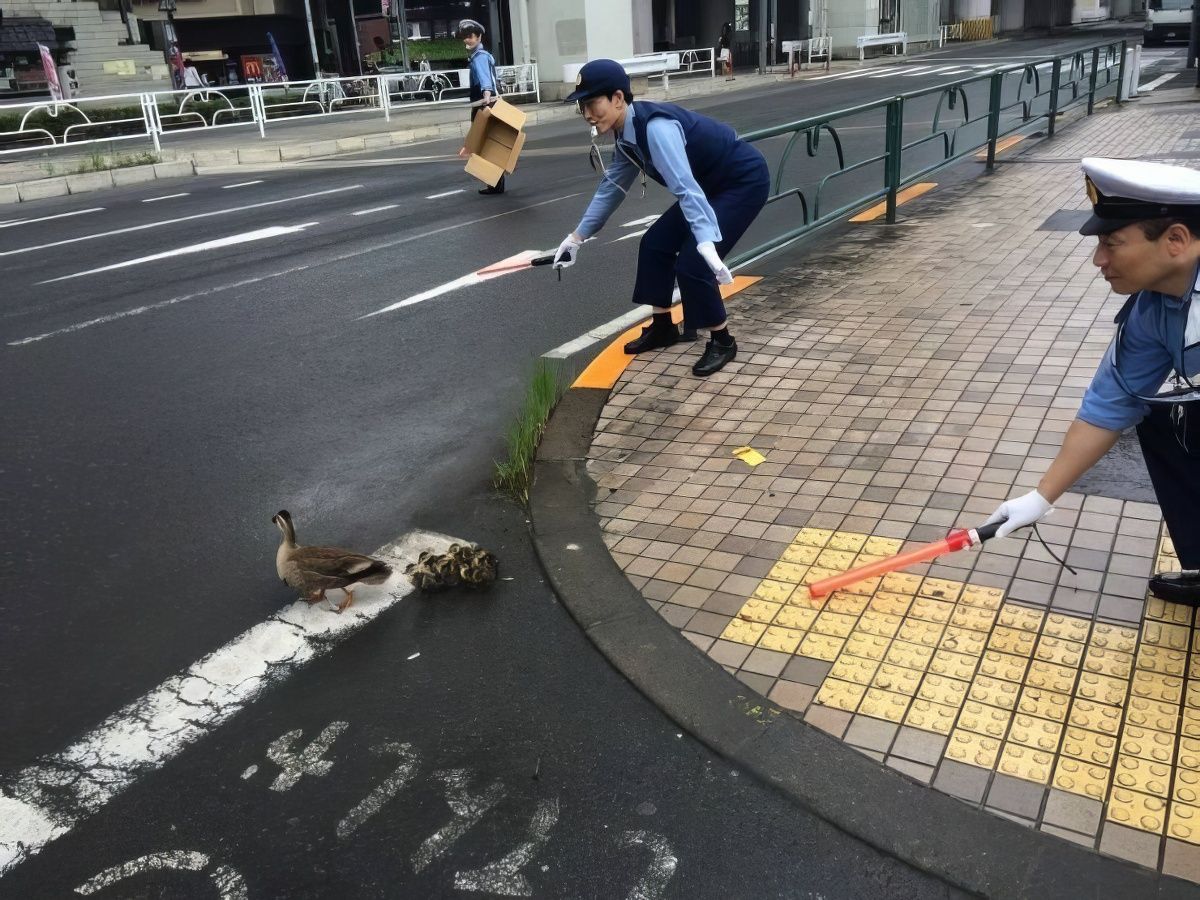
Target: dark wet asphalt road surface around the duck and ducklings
184, 359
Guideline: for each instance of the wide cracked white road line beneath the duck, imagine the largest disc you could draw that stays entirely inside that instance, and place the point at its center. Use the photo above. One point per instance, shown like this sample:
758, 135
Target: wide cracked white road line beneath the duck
47, 800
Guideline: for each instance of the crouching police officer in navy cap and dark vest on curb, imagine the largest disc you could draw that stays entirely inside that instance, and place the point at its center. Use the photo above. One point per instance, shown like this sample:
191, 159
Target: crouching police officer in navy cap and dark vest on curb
721, 184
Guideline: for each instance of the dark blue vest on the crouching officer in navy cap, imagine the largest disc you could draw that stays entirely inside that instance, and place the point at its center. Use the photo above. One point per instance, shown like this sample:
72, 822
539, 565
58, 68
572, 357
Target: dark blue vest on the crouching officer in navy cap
716, 153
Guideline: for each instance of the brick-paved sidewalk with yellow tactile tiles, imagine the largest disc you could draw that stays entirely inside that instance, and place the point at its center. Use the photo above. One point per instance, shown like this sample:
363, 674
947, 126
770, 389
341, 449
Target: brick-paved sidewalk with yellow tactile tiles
898, 387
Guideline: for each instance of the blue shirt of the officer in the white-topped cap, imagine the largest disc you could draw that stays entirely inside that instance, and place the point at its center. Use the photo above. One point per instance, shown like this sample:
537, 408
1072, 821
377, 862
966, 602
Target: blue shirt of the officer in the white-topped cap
1156, 341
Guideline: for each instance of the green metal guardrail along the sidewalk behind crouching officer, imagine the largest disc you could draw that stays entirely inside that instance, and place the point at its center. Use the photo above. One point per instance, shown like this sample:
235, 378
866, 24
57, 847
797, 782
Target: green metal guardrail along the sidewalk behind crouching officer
1017, 103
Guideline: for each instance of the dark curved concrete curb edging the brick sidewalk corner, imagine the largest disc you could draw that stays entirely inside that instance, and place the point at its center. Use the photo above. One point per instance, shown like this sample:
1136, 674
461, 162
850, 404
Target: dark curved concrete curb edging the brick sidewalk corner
970, 849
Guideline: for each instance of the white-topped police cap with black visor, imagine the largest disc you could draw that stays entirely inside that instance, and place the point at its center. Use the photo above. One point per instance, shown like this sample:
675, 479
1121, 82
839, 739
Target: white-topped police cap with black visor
1127, 191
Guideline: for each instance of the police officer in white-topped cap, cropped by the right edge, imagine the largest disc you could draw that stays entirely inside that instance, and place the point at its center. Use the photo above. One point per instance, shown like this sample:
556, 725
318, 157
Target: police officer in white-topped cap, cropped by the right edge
1148, 221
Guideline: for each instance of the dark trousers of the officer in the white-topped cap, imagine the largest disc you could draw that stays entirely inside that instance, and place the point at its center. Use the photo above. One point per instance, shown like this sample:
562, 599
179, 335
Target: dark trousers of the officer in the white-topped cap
1177, 479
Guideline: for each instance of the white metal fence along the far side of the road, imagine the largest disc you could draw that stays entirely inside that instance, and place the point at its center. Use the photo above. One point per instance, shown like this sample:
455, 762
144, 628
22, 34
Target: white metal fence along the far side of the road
157, 116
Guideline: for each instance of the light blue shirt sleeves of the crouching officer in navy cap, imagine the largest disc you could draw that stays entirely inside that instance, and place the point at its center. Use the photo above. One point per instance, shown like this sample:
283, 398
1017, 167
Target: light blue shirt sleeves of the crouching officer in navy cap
669, 159
